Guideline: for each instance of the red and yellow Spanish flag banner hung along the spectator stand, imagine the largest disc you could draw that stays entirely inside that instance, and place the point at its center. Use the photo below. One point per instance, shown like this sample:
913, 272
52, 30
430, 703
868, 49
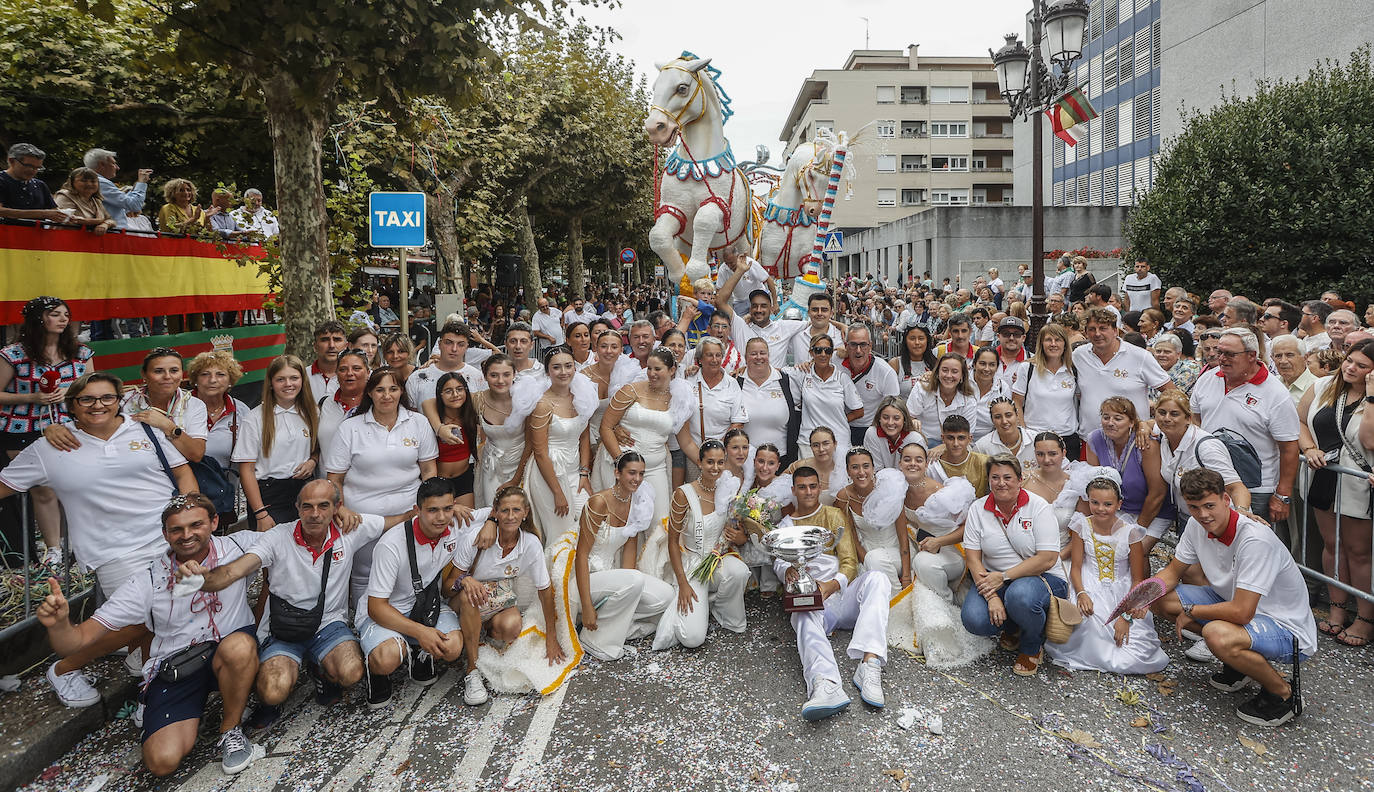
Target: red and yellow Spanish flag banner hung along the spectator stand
120, 276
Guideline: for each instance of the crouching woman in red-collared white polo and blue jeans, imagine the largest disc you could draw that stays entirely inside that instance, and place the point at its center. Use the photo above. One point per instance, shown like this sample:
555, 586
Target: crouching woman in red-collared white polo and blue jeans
1011, 542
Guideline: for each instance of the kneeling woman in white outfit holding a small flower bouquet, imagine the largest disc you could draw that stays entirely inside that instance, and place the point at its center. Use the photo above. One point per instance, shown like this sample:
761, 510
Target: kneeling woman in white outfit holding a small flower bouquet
696, 526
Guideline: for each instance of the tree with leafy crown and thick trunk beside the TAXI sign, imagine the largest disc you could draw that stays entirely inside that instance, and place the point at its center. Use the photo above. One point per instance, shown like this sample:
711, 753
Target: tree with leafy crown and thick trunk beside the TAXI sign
306, 57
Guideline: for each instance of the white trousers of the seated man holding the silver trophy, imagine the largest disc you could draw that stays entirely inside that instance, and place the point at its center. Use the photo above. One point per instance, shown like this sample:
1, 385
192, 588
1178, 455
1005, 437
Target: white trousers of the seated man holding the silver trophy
861, 607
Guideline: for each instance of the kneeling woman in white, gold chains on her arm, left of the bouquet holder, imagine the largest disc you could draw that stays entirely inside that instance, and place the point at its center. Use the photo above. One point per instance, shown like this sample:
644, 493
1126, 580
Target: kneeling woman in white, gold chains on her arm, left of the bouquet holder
618, 600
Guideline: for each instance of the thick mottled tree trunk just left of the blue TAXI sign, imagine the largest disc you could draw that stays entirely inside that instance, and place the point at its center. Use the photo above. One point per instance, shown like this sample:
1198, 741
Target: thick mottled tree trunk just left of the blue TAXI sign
297, 144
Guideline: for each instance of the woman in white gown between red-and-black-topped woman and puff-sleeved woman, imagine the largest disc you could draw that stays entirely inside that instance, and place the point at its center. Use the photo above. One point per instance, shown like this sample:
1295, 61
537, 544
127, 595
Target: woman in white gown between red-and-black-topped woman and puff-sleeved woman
499, 459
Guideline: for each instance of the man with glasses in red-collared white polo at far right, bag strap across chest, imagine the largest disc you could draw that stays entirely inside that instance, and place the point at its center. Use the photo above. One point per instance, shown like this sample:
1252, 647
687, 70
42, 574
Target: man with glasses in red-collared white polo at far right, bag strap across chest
1246, 398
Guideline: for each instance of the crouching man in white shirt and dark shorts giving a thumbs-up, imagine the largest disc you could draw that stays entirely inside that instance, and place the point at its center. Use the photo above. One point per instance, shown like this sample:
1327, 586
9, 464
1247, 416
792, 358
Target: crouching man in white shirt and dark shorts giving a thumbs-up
201, 643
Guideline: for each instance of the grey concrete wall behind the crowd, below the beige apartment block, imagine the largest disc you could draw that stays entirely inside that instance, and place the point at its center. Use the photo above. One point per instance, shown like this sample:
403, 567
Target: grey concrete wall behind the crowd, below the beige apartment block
939, 239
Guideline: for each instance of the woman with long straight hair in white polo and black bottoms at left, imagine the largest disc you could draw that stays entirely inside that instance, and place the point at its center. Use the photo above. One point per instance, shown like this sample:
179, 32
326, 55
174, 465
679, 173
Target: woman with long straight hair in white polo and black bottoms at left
278, 450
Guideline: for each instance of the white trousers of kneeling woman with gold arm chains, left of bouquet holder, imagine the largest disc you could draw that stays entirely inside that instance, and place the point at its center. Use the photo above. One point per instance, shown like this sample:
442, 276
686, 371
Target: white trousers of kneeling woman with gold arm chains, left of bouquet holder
626, 600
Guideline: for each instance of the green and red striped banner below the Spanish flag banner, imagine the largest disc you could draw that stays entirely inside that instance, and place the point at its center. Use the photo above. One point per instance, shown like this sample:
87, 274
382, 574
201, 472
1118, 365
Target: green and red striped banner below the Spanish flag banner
252, 347
